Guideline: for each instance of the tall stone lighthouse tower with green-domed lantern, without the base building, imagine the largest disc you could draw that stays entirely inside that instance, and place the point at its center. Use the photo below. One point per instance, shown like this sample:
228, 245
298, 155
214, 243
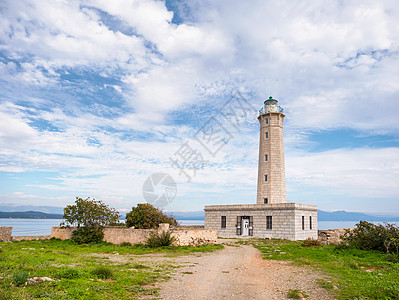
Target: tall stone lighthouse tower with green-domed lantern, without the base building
271, 165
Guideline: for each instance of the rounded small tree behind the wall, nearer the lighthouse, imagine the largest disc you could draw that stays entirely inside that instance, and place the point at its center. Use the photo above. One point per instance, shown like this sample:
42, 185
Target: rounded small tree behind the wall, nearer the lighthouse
146, 216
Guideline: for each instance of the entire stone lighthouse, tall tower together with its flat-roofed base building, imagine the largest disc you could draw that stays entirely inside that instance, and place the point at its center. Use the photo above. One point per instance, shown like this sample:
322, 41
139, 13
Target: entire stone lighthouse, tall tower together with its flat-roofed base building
271, 216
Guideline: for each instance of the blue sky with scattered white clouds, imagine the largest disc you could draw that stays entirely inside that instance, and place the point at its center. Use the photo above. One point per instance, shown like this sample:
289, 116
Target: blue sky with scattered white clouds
97, 96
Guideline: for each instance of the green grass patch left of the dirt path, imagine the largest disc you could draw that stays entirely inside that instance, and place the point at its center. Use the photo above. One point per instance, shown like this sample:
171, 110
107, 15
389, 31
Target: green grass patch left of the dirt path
102, 271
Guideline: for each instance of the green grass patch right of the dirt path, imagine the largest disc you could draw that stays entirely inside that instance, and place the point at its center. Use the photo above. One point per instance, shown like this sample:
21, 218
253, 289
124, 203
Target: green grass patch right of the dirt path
354, 273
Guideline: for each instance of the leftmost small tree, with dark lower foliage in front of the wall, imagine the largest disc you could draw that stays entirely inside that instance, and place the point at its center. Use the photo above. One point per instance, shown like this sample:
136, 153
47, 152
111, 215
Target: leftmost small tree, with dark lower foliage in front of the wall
90, 216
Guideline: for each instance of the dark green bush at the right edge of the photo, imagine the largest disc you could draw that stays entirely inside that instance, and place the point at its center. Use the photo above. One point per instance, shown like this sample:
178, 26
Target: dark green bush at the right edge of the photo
368, 236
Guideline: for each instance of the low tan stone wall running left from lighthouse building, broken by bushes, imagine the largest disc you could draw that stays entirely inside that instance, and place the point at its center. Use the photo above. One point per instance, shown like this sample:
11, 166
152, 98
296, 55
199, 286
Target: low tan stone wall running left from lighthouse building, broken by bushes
184, 236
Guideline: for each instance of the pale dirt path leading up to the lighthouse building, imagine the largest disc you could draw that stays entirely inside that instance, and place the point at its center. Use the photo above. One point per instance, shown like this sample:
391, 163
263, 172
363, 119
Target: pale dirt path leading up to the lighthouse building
239, 272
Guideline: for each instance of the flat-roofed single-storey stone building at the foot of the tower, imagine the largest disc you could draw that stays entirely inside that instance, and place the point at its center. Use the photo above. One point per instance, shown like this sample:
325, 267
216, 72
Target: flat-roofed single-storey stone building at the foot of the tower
291, 221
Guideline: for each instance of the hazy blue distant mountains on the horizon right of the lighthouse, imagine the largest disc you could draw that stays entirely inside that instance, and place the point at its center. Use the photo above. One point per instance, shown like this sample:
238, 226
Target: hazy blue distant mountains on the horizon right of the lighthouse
353, 216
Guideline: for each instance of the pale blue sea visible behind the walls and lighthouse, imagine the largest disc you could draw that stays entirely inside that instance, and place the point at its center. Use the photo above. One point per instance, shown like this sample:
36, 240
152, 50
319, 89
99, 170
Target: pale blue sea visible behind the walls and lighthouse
43, 226
